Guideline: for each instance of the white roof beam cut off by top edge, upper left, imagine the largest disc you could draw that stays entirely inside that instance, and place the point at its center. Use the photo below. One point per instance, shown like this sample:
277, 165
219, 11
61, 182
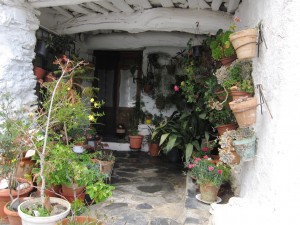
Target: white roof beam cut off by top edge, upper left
51, 3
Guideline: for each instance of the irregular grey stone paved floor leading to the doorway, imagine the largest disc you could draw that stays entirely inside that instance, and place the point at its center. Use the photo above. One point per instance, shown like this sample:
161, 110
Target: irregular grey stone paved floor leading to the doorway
149, 191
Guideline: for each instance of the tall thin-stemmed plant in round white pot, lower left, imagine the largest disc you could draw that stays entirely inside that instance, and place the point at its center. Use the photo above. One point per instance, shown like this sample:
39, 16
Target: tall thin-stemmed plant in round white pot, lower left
62, 110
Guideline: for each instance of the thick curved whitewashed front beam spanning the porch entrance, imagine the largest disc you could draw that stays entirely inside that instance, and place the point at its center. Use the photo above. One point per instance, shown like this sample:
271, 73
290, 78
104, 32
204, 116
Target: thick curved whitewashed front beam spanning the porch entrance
155, 19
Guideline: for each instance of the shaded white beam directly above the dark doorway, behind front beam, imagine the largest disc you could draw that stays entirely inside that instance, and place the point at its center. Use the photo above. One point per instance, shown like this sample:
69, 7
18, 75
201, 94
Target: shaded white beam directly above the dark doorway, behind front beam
136, 41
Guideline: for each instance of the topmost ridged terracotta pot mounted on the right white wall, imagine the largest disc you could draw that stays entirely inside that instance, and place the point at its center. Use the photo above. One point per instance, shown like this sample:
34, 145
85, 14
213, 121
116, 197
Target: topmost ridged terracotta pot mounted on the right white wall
244, 43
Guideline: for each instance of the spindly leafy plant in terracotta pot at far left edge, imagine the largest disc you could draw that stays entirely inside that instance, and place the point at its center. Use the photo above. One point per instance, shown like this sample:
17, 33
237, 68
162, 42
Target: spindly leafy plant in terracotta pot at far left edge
14, 143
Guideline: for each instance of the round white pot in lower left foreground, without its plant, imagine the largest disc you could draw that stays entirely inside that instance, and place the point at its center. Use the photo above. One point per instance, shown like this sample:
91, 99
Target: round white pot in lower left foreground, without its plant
49, 220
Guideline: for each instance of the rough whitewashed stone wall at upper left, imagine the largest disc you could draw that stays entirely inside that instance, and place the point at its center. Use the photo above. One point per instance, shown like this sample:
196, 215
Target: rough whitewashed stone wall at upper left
17, 41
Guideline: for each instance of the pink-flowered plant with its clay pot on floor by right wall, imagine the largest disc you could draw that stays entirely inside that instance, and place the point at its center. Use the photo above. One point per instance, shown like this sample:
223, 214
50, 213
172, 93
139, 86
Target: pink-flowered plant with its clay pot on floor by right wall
209, 176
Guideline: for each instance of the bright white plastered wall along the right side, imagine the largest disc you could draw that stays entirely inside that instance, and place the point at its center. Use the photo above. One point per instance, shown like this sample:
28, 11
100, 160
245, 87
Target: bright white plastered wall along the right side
270, 183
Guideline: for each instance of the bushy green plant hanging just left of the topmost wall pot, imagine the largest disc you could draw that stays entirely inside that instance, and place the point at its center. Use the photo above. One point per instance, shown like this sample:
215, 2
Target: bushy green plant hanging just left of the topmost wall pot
221, 47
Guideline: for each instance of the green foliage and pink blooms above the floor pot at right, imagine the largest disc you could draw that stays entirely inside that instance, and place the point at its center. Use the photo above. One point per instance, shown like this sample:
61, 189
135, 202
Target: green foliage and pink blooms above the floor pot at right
207, 172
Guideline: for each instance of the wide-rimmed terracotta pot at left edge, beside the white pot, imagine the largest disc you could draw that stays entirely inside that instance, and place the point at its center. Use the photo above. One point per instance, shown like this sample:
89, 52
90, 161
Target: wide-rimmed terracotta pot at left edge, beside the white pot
4, 198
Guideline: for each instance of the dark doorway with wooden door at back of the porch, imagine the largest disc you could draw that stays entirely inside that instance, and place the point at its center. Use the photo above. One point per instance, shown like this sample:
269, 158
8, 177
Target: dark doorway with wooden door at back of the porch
117, 76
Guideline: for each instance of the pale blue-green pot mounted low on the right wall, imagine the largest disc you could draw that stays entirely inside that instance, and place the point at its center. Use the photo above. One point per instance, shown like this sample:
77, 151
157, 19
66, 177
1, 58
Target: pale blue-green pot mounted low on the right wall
246, 148
